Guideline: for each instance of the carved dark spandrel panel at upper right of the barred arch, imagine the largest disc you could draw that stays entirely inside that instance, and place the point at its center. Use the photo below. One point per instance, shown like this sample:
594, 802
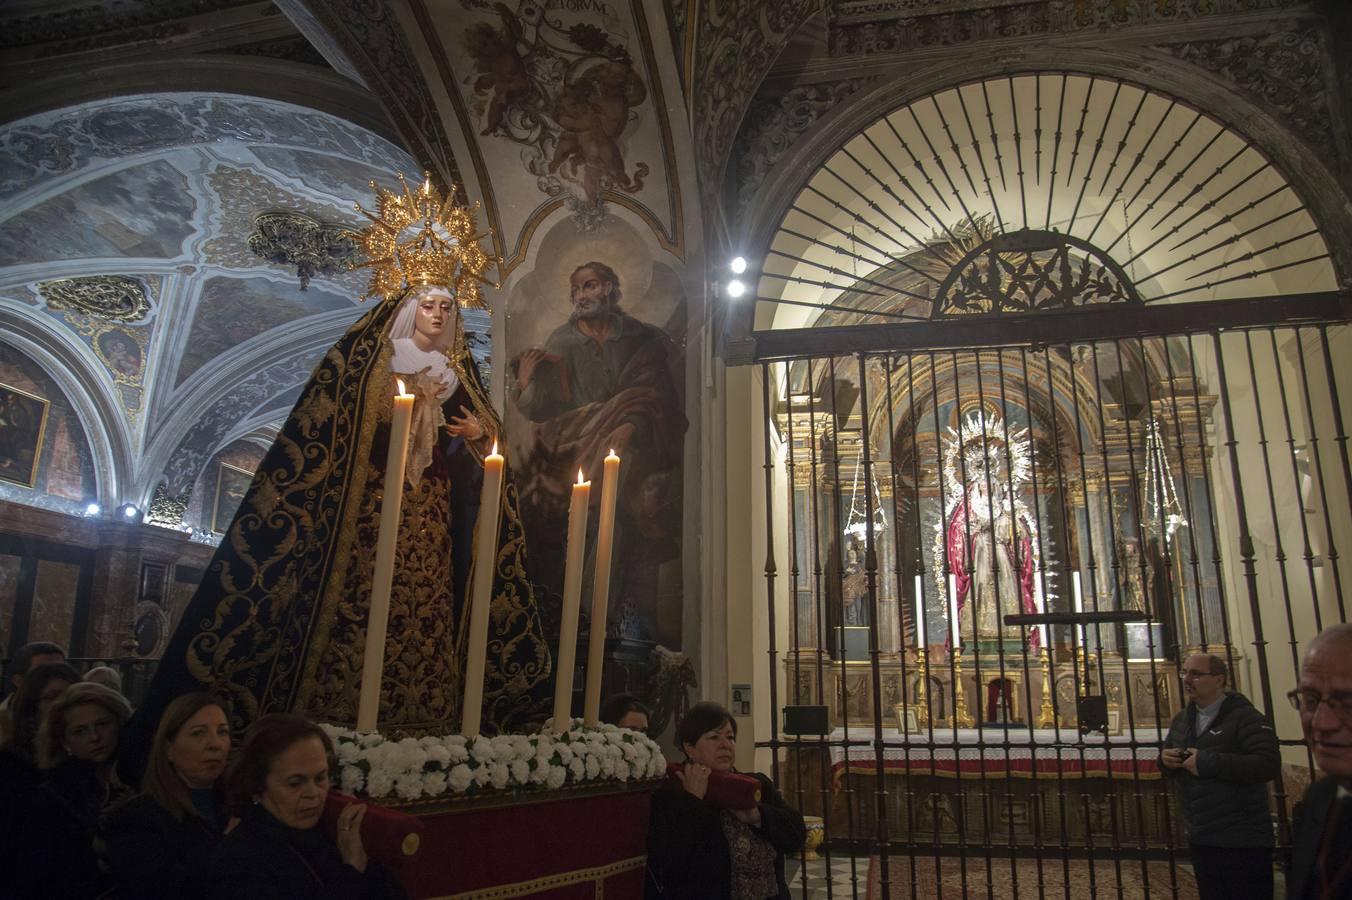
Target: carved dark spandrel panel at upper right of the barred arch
1285, 71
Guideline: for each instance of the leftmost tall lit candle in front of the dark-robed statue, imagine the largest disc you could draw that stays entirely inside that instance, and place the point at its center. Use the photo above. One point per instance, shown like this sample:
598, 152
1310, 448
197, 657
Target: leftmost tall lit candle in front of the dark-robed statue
374, 656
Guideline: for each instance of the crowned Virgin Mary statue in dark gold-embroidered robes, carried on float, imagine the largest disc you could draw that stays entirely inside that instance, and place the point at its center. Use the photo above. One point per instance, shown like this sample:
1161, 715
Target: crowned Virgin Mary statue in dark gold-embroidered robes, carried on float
281, 618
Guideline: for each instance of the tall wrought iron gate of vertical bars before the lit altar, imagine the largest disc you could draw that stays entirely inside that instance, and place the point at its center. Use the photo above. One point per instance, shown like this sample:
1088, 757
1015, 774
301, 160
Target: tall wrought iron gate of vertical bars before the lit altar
1185, 466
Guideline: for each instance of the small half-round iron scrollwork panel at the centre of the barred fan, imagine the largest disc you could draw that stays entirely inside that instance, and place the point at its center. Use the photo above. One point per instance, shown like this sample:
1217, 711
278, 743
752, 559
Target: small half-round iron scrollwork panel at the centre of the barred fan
1032, 272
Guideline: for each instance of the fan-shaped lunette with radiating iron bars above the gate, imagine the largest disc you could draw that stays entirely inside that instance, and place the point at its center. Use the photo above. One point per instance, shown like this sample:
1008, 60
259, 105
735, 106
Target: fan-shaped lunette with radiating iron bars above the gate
1181, 205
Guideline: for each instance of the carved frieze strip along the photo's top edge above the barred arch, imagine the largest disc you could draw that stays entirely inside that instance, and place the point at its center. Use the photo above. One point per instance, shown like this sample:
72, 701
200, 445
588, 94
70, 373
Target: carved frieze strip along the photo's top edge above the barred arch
862, 28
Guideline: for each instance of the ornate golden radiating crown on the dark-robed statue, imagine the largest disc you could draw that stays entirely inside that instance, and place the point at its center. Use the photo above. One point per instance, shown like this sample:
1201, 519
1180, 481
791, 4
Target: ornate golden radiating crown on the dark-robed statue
418, 239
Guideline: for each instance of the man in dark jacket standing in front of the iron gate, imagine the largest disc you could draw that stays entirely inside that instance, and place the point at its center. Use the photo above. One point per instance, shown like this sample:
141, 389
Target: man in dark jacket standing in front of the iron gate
1220, 755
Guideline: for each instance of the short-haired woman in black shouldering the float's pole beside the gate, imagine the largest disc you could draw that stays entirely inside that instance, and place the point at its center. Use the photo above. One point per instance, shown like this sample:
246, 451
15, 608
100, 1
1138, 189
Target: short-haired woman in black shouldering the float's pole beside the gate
697, 852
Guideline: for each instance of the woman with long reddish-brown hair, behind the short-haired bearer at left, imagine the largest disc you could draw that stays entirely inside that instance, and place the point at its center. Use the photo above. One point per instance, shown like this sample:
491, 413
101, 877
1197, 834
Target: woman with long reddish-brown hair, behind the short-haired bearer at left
160, 843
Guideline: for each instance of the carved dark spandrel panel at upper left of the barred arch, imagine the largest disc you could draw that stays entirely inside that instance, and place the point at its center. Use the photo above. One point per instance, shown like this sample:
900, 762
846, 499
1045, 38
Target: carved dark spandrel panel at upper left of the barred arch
775, 124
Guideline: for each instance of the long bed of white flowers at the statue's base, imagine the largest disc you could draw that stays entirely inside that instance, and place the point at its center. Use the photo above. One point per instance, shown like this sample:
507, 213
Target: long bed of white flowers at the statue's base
431, 768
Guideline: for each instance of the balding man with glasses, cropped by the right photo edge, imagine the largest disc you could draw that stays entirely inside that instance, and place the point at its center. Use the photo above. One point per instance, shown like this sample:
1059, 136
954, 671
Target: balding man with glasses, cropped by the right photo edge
1322, 834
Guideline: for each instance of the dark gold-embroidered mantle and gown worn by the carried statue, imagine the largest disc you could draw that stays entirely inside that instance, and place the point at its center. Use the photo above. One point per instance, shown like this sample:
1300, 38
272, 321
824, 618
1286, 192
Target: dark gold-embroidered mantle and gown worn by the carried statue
279, 621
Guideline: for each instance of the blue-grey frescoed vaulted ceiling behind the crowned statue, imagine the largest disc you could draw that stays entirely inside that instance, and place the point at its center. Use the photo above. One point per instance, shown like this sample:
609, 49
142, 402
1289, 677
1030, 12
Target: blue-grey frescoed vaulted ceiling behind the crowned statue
164, 191
